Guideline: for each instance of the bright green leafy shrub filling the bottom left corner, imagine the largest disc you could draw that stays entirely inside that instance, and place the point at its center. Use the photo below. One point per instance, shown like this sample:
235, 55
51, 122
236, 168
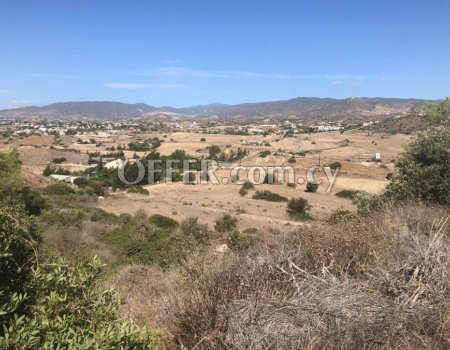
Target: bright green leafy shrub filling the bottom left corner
71, 311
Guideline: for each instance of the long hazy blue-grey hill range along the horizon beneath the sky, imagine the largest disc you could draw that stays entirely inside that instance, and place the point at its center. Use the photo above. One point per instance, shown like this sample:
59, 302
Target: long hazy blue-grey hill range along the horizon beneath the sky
301, 106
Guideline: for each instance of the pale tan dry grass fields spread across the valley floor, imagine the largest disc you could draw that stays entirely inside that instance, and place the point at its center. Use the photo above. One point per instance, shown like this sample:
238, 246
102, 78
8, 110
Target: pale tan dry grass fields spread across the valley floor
353, 150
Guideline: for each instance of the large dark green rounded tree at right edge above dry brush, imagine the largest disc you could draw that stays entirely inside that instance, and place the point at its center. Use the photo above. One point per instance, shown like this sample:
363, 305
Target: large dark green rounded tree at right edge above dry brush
423, 169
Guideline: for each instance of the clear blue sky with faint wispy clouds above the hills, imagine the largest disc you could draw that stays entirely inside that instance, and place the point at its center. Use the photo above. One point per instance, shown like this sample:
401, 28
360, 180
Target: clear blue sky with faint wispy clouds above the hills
185, 53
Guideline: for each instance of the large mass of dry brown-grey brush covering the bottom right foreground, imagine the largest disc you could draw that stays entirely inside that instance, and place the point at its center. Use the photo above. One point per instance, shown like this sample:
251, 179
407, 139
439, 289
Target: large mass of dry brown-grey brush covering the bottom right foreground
382, 283
